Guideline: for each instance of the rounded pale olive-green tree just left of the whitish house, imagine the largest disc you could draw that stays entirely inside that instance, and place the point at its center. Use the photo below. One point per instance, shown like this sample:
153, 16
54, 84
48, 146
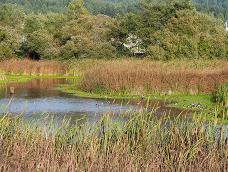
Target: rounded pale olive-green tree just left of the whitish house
87, 37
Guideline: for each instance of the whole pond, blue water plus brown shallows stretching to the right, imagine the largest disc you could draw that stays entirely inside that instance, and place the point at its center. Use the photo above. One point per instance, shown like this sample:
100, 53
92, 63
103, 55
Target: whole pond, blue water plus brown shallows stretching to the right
37, 101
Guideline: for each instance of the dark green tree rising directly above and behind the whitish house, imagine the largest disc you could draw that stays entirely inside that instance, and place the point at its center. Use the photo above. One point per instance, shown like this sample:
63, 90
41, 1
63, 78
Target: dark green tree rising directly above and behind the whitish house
149, 20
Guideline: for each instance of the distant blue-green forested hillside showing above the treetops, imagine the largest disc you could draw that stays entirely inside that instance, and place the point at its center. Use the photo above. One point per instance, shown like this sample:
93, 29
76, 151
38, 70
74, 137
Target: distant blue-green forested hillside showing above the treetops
218, 8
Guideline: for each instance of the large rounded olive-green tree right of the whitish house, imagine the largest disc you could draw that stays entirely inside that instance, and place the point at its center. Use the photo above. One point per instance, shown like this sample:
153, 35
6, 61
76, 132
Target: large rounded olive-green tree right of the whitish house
192, 35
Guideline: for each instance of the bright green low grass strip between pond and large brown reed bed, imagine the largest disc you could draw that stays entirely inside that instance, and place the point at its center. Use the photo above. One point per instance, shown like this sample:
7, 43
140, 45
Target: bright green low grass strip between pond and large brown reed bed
182, 101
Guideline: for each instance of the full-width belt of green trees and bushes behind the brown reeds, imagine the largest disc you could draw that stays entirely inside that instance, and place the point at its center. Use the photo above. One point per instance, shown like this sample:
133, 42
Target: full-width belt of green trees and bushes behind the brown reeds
150, 29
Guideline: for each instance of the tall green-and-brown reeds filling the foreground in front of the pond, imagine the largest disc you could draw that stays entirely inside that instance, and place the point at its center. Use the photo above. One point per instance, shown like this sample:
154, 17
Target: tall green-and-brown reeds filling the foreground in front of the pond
143, 143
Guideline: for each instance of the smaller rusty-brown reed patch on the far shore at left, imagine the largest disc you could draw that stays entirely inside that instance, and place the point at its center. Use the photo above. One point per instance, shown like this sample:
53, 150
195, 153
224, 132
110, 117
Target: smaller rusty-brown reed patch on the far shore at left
30, 67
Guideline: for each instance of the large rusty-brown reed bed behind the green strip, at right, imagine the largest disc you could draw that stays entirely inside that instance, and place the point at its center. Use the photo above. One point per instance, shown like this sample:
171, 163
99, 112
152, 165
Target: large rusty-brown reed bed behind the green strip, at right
139, 76
